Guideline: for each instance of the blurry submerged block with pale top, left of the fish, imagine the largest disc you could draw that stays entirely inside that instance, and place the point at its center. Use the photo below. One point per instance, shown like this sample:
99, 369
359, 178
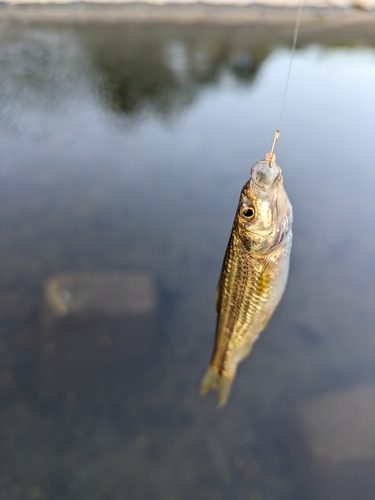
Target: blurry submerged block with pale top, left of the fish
95, 327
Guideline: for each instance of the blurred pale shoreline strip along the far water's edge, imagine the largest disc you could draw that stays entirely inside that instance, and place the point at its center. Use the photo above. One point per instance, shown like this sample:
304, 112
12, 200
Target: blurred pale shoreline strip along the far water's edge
188, 13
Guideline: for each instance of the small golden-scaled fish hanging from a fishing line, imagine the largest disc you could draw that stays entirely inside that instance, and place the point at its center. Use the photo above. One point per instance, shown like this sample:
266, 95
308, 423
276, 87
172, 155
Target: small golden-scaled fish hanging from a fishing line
254, 273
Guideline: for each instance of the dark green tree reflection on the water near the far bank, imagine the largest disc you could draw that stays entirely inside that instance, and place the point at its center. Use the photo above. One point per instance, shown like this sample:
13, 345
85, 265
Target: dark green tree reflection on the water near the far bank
166, 72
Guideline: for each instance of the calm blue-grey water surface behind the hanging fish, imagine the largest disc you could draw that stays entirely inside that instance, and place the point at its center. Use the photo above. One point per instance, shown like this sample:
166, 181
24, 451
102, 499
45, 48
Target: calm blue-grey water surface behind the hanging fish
124, 148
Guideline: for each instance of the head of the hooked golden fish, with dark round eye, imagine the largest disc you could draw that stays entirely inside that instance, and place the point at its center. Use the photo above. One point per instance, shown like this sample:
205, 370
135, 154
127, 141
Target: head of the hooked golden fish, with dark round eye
264, 213
